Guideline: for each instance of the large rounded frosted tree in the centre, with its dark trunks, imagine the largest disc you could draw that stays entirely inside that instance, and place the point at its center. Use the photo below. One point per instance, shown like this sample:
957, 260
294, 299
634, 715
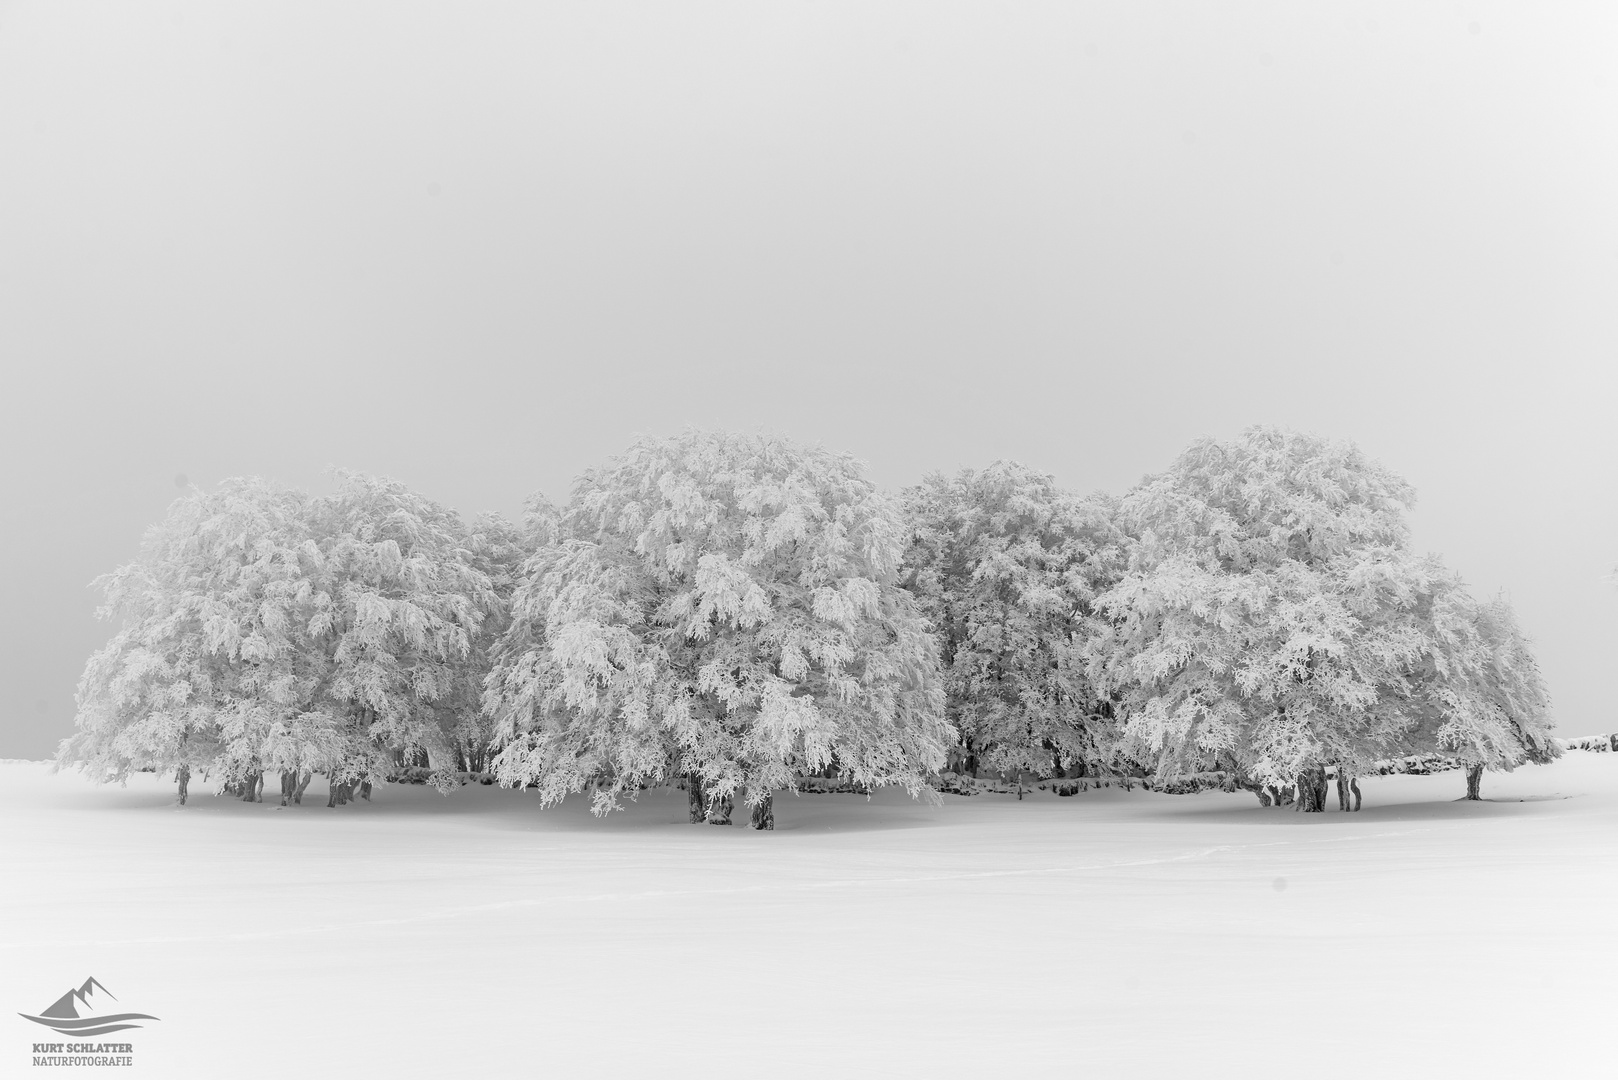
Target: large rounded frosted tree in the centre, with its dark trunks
726, 608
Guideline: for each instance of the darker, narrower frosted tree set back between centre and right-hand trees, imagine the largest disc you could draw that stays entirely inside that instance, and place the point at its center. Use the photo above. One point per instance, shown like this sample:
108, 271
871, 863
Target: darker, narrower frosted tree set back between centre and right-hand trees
1009, 566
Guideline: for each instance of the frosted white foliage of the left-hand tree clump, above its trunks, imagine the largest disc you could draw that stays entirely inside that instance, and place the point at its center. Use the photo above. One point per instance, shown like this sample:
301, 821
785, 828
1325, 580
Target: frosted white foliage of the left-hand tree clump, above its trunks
268, 631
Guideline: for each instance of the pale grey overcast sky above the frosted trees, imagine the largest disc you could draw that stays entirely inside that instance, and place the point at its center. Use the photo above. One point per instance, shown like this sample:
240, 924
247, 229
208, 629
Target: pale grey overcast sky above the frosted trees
480, 247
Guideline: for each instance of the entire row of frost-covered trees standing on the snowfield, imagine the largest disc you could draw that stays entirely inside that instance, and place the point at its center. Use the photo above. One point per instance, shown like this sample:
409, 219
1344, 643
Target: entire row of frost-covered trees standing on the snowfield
735, 613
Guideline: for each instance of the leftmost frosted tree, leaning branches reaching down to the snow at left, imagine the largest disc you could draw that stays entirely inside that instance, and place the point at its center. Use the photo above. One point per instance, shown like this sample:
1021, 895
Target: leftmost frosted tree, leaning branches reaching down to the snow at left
210, 653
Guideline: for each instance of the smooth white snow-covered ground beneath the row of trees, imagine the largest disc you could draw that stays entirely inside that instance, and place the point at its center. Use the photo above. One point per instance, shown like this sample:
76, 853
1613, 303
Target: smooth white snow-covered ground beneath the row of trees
1156, 935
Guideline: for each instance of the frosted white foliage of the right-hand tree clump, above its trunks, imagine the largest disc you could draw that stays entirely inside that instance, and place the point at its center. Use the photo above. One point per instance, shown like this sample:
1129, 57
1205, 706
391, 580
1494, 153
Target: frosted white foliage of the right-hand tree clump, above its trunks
1274, 621
